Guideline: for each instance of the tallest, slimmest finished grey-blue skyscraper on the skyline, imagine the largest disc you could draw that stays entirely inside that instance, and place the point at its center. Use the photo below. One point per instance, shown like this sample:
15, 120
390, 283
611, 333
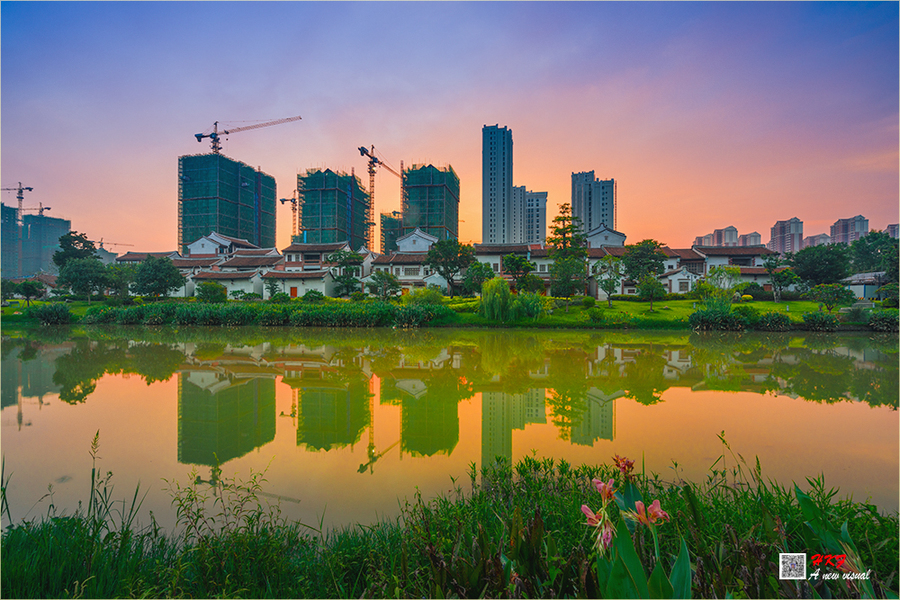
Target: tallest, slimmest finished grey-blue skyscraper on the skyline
496, 184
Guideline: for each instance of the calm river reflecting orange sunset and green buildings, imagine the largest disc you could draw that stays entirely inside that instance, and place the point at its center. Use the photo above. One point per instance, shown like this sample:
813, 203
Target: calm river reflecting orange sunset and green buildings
346, 422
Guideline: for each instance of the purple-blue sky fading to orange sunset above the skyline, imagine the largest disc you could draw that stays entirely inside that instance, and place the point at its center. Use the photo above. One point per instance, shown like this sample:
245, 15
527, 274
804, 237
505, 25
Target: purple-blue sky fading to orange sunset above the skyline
706, 114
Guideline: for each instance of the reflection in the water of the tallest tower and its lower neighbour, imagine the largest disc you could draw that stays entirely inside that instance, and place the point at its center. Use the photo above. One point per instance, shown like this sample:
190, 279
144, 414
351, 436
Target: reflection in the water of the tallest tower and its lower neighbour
501, 413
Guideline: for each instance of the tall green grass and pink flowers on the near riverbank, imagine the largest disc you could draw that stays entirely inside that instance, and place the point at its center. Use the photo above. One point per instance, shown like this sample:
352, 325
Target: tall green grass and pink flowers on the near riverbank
519, 532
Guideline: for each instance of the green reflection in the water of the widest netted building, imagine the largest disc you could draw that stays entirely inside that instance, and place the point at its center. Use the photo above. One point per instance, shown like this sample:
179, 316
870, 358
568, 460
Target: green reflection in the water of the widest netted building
223, 415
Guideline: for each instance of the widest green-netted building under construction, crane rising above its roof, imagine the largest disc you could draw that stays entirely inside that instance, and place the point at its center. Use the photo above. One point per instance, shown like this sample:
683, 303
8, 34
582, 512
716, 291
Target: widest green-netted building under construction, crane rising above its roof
216, 193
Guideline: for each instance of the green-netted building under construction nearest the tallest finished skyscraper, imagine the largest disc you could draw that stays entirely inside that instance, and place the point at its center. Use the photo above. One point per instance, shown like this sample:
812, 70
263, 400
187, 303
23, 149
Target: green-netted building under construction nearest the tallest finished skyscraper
431, 201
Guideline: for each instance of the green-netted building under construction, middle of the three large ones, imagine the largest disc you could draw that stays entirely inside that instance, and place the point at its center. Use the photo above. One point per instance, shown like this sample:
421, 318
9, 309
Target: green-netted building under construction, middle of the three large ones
334, 208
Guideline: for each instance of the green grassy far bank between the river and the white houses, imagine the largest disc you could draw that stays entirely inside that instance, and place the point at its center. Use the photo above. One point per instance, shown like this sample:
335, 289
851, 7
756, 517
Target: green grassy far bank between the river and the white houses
459, 312
